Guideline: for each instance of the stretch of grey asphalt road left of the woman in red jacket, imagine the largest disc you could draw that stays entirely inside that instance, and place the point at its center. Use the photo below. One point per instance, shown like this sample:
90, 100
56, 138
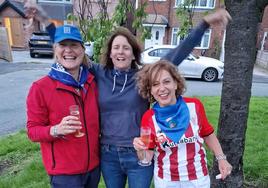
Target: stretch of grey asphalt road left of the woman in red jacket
14, 86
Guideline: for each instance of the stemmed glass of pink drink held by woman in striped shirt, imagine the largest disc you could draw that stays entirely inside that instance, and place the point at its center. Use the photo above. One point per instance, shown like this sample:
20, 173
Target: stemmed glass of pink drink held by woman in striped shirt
145, 133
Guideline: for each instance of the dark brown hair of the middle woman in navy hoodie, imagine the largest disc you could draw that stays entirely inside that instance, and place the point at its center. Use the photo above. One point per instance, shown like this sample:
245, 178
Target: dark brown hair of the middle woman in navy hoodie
121, 31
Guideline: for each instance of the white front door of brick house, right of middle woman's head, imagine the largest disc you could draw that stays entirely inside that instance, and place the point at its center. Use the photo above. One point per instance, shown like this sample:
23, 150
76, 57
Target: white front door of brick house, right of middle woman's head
157, 35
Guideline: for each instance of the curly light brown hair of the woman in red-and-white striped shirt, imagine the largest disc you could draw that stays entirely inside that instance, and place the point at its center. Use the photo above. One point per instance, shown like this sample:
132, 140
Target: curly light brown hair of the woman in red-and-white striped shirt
150, 72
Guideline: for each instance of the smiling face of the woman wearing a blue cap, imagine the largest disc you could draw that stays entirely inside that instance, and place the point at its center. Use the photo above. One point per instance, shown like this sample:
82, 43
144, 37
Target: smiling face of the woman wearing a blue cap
70, 55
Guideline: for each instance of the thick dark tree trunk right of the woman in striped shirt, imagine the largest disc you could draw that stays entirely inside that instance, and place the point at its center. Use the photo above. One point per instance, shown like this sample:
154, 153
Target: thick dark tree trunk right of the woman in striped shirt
240, 48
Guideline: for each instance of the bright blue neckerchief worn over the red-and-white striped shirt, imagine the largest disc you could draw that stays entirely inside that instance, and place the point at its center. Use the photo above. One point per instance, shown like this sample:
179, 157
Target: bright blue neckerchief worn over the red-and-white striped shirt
173, 120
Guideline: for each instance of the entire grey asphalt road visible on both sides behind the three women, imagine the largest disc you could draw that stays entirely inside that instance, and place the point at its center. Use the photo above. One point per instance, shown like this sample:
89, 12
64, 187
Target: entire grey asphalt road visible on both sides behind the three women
16, 78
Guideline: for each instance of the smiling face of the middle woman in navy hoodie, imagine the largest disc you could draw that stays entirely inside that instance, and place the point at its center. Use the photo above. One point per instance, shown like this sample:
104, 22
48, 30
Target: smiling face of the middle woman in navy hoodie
121, 53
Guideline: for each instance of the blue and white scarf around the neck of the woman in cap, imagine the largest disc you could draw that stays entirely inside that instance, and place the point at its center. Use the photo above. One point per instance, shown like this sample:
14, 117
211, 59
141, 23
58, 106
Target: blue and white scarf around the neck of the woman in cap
59, 73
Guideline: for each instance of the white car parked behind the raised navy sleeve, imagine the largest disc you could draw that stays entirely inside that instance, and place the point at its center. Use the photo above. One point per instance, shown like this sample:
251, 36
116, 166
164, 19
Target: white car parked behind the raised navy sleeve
206, 68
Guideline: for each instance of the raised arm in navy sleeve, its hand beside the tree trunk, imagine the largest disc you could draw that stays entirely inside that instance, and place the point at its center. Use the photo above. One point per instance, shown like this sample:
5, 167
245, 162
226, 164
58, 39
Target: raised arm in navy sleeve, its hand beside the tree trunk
178, 54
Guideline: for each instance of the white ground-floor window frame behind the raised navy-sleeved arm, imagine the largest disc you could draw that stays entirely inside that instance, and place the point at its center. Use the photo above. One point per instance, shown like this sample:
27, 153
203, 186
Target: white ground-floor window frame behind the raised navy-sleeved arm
207, 33
